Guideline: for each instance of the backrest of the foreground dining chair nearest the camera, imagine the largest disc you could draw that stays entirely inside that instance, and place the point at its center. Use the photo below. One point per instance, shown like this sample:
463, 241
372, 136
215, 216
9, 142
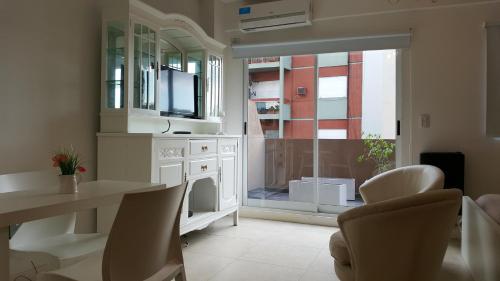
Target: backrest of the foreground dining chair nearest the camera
145, 235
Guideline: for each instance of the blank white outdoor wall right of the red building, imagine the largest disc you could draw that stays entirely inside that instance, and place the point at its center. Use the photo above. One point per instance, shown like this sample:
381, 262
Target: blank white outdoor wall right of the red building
379, 93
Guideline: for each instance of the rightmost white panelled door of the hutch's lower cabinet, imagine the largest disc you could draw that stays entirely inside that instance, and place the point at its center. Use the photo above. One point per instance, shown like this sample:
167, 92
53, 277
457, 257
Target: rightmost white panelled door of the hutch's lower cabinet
228, 174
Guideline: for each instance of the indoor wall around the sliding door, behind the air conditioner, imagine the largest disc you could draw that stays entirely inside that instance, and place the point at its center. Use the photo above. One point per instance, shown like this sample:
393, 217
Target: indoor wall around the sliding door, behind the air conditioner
444, 72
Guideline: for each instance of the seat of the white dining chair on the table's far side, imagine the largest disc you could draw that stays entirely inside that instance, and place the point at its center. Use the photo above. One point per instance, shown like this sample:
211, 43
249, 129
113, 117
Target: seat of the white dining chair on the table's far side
64, 249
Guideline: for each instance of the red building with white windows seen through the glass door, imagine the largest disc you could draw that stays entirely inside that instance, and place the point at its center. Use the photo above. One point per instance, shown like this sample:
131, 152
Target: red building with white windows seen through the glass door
339, 95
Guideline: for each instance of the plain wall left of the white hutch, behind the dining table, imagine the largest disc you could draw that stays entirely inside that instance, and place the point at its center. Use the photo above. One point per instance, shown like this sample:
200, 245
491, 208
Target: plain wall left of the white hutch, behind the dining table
50, 83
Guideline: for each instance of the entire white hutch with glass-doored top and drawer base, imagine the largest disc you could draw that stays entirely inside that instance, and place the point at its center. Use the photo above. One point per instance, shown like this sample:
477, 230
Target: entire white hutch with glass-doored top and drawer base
135, 142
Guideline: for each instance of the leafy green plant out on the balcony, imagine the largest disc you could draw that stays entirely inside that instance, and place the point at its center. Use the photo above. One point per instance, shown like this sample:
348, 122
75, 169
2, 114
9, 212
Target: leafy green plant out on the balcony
379, 151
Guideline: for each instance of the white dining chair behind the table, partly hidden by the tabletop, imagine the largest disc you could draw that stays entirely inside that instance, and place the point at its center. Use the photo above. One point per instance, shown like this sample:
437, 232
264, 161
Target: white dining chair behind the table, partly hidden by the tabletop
50, 243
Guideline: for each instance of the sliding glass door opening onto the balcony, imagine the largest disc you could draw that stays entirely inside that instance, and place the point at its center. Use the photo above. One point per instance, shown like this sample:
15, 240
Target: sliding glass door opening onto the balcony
308, 118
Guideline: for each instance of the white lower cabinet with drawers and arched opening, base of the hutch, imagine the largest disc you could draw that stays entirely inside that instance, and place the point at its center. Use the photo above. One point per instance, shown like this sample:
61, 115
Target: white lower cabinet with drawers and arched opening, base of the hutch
209, 163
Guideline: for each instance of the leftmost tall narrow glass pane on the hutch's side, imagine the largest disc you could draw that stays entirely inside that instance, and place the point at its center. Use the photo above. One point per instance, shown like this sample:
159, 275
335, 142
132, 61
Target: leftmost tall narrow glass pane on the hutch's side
115, 64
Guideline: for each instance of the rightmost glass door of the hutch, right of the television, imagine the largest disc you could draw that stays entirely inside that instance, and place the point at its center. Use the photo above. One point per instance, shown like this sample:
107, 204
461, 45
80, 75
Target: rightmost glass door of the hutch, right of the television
214, 86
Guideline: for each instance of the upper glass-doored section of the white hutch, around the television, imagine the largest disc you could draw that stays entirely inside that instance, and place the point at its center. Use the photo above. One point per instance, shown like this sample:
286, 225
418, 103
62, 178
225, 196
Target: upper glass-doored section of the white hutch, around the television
137, 41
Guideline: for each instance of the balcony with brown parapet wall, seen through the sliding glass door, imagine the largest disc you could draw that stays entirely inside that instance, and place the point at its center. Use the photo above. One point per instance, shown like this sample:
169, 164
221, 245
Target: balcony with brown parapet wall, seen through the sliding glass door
276, 163
